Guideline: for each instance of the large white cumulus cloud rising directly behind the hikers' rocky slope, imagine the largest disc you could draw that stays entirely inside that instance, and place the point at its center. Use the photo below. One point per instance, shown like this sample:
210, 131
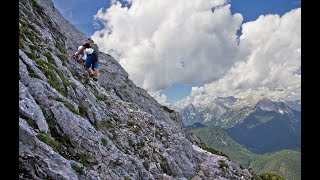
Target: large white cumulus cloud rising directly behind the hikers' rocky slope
160, 43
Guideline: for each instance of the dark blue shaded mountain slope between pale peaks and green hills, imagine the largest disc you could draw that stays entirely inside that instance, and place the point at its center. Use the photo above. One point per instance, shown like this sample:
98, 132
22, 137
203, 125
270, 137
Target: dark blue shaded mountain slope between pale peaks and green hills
268, 131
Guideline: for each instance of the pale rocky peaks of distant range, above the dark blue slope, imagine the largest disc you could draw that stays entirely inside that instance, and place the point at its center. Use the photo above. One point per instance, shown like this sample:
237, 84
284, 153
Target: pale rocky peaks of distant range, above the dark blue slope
228, 111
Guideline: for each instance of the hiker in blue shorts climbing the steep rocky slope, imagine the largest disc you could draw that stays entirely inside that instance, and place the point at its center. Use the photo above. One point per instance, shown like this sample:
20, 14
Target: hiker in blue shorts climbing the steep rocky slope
92, 52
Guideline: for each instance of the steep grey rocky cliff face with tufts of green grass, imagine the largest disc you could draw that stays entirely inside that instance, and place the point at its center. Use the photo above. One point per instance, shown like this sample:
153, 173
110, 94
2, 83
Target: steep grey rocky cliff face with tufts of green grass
73, 128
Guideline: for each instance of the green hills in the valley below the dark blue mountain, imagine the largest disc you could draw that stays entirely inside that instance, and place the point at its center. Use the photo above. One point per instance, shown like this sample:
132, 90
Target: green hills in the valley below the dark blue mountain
286, 163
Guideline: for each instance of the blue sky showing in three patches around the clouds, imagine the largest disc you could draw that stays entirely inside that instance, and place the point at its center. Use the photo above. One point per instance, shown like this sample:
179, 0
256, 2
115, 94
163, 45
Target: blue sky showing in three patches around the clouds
81, 12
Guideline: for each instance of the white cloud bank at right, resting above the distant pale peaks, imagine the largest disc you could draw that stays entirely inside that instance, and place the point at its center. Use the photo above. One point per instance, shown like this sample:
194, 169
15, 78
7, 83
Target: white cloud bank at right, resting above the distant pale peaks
270, 54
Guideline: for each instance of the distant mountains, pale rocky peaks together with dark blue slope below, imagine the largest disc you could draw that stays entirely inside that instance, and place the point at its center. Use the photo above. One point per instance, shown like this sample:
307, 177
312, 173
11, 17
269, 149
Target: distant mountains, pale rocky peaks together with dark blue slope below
256, 122
